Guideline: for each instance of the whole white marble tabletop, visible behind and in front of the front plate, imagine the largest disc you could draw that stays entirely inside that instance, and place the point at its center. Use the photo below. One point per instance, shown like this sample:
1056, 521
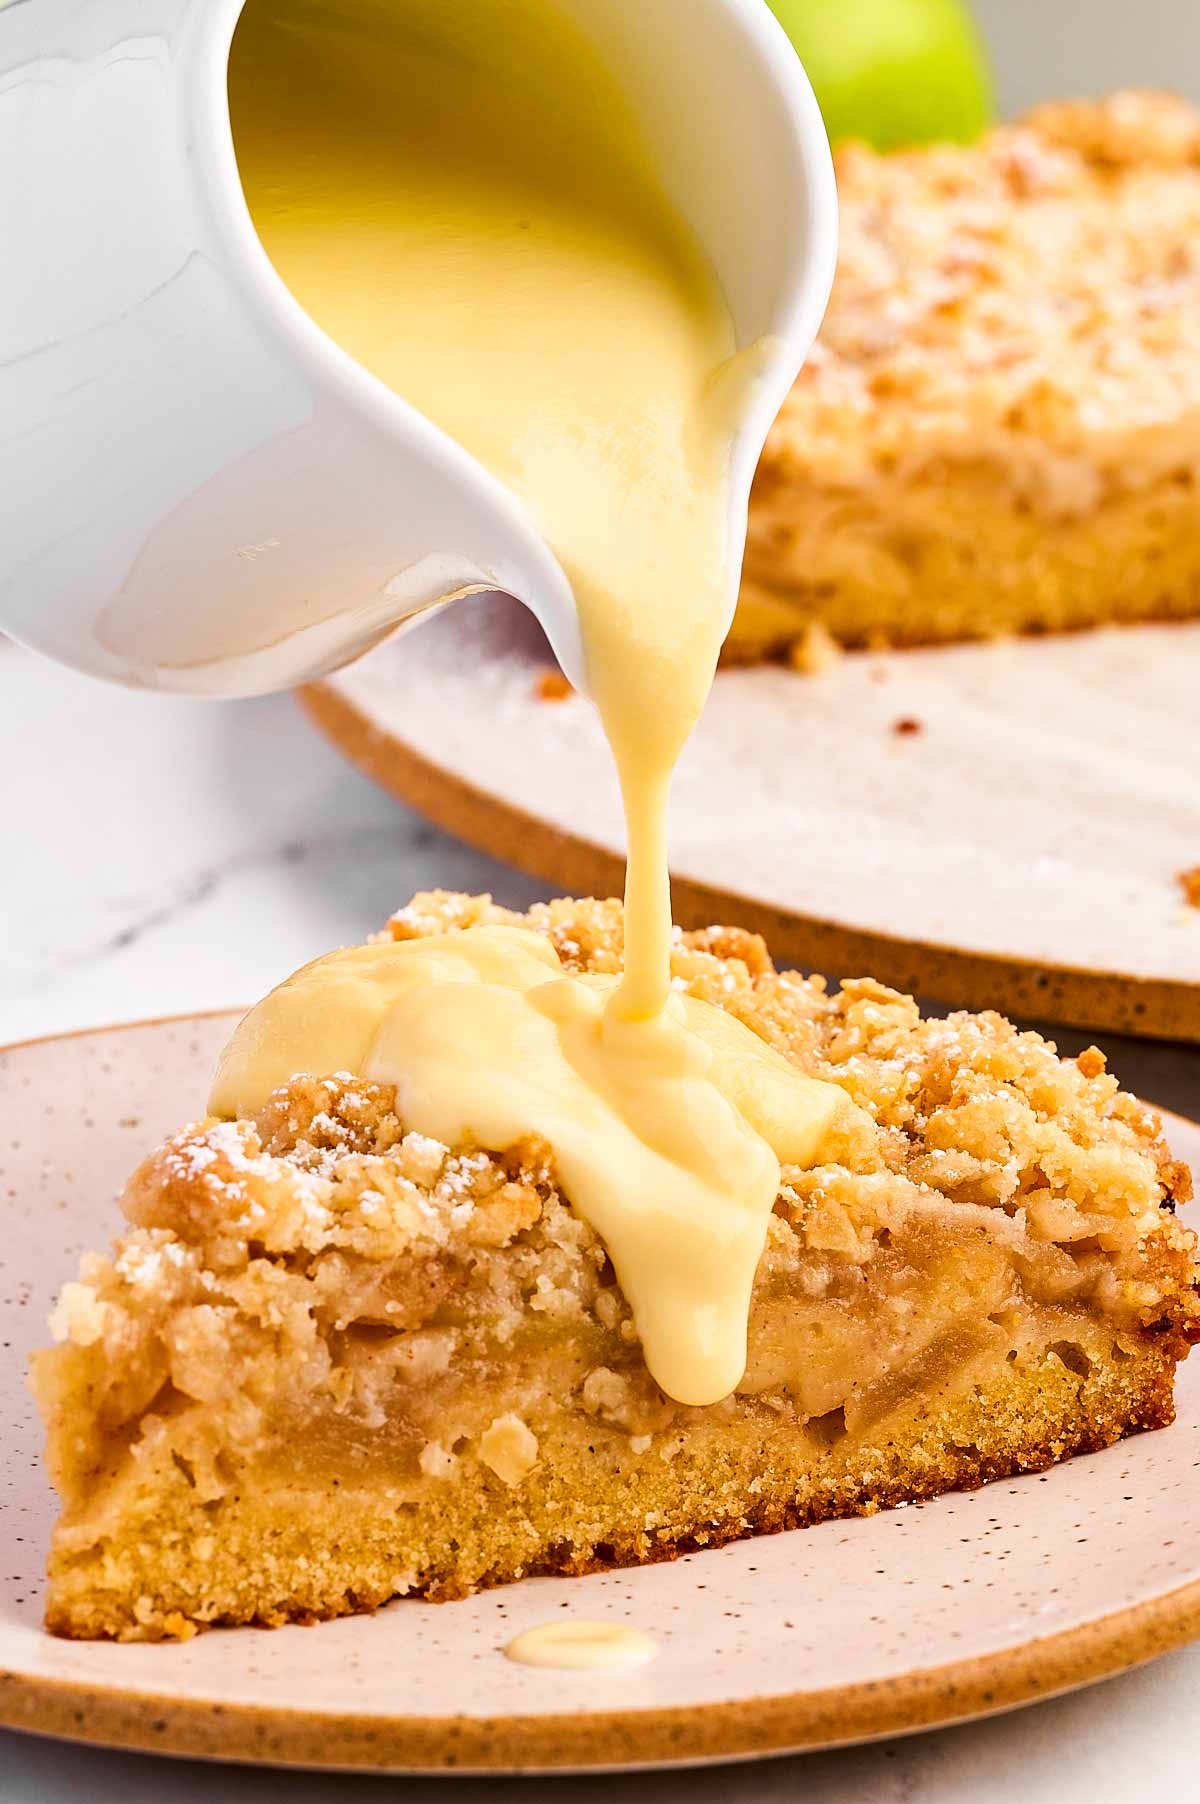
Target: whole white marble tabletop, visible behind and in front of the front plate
171, 856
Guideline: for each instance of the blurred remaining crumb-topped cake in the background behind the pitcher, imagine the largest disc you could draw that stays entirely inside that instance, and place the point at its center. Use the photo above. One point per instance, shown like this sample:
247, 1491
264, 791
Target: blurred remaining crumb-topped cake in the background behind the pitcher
999, 428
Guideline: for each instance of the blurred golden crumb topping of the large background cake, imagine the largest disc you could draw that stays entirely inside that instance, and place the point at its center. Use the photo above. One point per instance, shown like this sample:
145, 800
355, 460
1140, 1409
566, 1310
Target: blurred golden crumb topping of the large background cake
1037, 290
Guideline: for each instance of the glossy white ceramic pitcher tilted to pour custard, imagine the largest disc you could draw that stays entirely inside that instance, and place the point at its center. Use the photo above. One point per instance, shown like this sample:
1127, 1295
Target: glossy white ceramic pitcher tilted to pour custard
199, 492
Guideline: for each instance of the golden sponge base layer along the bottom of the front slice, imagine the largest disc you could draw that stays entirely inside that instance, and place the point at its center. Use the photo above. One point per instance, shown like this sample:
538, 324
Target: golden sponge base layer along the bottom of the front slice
291, 1549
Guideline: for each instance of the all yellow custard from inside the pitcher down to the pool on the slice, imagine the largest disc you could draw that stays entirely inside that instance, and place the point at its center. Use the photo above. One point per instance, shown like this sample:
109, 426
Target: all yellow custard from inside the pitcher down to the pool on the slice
461, 198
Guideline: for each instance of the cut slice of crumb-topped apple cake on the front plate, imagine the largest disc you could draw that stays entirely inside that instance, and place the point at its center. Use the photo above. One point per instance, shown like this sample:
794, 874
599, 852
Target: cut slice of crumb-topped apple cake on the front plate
333, 1361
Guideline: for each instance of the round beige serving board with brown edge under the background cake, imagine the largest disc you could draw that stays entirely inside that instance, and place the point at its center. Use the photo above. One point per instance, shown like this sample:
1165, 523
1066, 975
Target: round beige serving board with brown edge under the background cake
995, 825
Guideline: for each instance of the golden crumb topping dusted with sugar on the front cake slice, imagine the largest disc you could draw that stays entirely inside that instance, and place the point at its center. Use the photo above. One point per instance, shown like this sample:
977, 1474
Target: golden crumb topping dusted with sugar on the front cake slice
963, 1112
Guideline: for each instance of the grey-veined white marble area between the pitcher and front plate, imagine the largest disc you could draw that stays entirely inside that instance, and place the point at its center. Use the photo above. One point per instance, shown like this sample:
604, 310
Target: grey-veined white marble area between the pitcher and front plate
169, 856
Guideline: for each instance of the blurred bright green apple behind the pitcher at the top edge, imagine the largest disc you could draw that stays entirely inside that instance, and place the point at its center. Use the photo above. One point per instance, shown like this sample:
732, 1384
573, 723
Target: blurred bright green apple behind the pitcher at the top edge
892, 71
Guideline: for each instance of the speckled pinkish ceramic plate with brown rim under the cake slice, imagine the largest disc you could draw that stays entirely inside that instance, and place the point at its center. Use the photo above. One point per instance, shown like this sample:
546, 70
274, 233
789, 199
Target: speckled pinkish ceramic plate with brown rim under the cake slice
831, 1635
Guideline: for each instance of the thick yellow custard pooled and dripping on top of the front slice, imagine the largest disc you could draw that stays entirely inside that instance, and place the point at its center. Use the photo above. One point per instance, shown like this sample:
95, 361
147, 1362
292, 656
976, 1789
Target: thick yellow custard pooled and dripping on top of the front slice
667, 1134
